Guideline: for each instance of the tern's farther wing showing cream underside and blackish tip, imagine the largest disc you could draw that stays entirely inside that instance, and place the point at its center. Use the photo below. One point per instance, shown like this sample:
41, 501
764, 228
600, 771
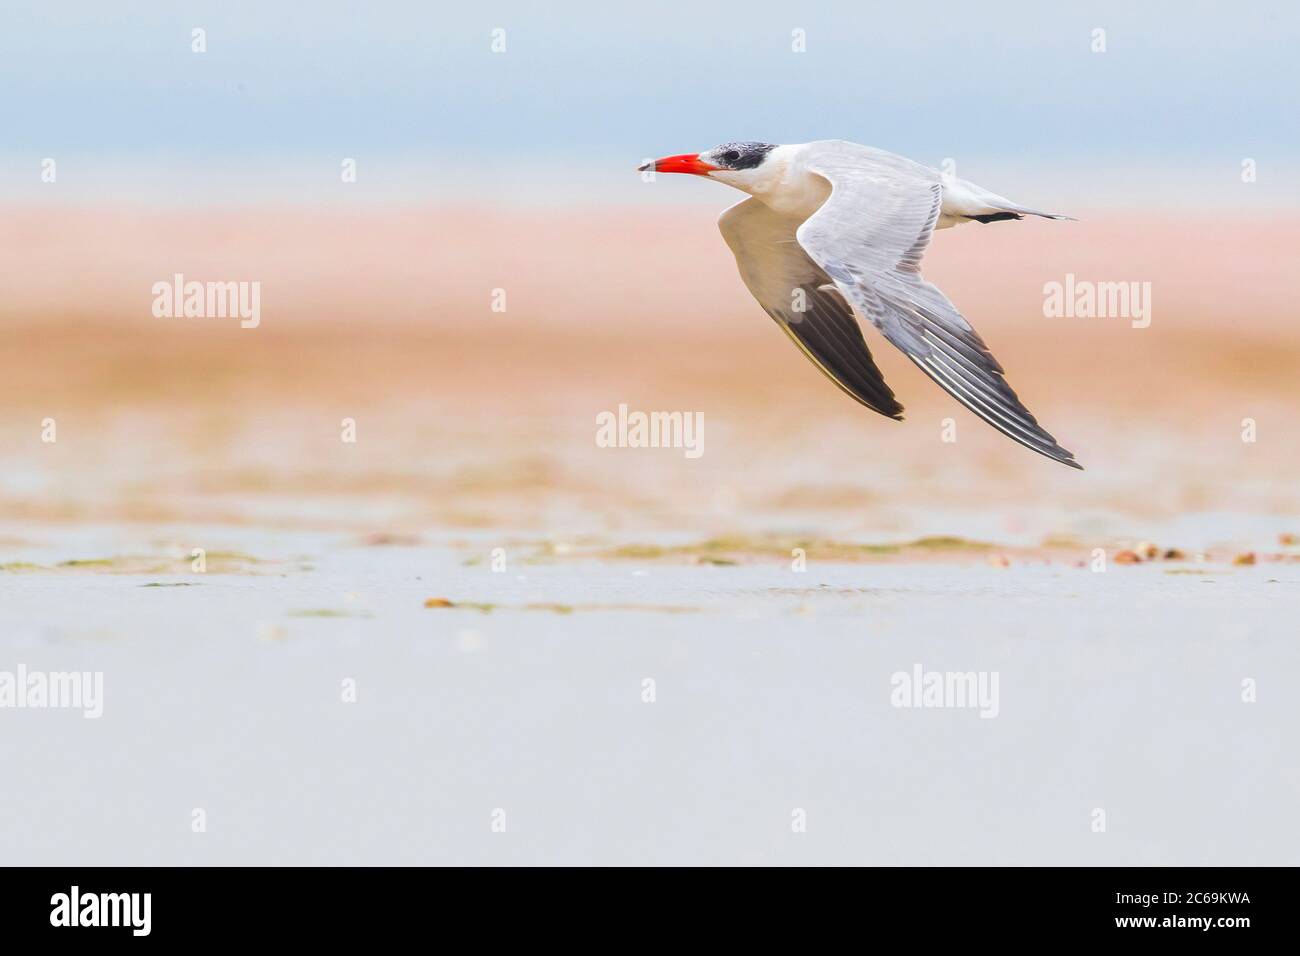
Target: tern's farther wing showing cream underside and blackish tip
803, 300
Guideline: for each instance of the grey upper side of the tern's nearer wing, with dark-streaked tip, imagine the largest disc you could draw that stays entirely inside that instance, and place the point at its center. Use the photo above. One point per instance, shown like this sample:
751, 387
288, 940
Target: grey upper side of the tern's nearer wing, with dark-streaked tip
869, 237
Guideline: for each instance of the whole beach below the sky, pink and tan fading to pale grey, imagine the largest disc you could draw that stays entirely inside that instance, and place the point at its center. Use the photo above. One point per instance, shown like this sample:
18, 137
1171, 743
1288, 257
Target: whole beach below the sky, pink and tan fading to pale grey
499, 587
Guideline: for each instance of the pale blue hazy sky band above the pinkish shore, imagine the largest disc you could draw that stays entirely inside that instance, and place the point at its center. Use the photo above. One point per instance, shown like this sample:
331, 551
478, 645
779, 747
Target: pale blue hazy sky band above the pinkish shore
582, 86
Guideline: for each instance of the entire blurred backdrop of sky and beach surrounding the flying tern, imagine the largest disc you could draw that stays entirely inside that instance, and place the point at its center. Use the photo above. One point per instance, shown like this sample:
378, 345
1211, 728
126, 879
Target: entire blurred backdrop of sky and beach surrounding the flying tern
495, 149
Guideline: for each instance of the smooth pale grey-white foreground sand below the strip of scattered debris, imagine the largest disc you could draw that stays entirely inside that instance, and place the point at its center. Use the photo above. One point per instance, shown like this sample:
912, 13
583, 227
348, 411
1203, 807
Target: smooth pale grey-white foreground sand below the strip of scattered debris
1117, 691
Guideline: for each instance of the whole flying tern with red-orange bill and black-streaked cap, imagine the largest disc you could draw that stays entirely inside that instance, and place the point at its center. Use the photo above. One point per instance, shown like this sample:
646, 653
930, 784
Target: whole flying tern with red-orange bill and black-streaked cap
835, 231
